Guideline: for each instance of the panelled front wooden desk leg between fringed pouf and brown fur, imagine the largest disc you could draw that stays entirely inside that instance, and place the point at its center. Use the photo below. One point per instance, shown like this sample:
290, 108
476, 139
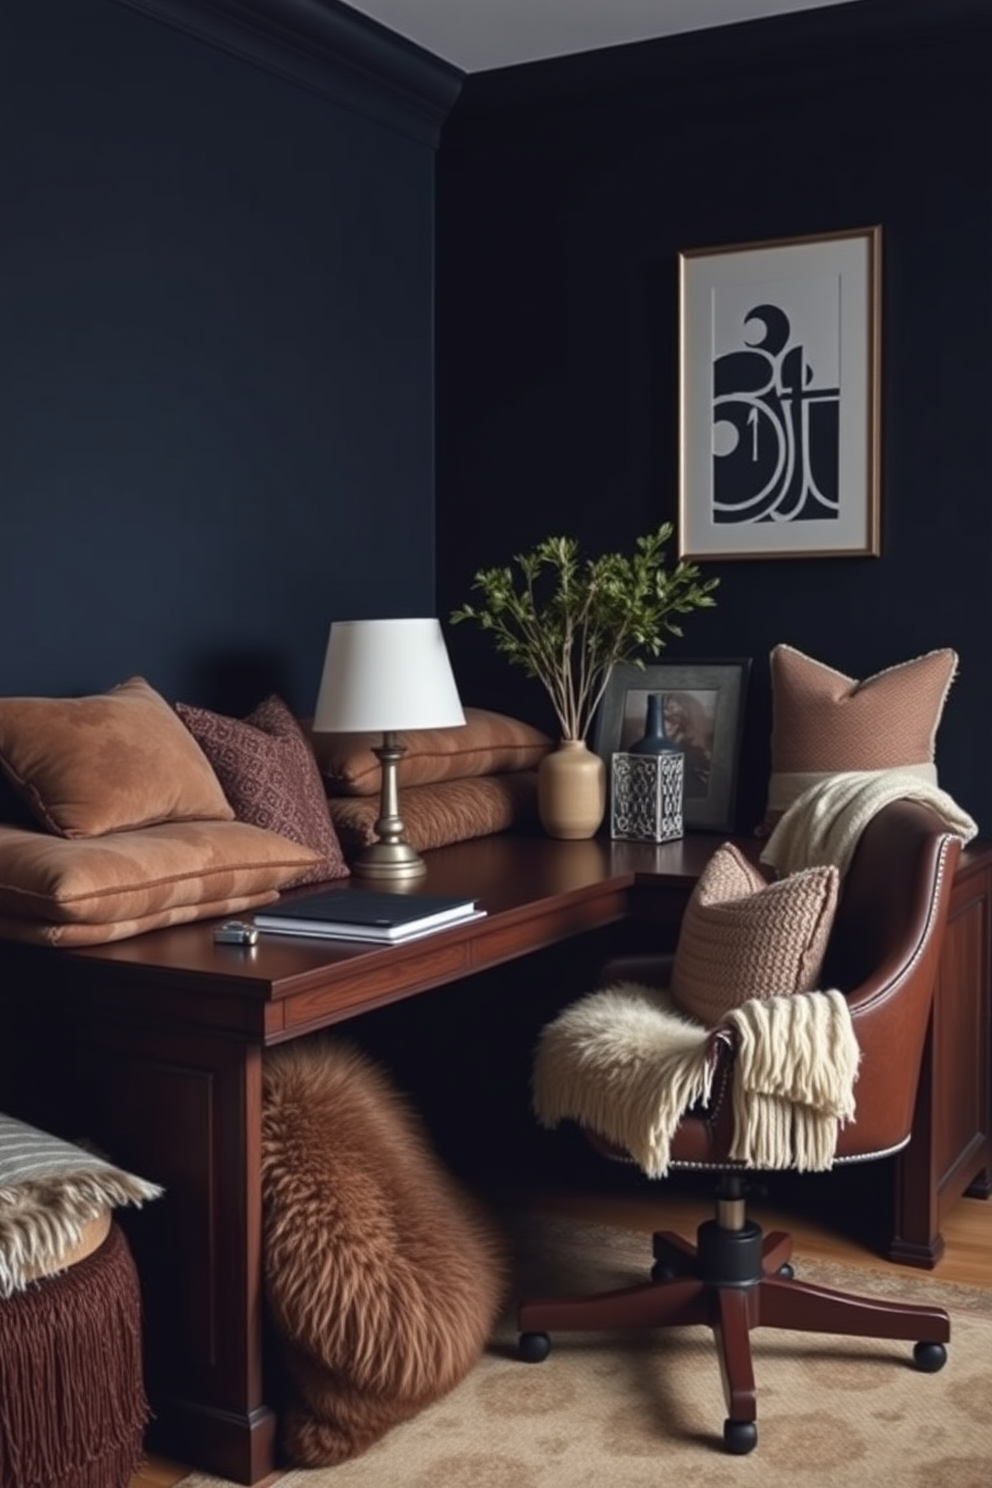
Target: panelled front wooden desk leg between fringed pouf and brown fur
187, 1111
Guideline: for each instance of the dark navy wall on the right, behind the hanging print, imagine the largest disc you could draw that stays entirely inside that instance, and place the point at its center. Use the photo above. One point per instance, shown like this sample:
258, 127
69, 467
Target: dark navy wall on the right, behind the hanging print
566, 193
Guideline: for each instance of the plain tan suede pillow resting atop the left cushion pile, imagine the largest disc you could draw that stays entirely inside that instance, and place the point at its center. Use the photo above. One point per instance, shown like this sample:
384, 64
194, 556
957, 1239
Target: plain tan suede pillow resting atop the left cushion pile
106, 764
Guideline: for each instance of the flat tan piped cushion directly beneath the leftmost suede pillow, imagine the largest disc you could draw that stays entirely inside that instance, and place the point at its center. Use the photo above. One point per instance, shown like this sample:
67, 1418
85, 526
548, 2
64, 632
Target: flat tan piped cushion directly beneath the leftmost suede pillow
130, 876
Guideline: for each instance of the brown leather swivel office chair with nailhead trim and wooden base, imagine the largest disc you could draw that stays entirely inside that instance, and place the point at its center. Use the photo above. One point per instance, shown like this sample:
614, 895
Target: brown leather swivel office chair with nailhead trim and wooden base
883, 955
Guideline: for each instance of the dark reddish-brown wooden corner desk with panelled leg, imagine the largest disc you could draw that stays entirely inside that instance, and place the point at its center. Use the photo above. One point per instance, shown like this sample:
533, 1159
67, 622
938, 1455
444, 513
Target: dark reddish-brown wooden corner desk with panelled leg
154, 1048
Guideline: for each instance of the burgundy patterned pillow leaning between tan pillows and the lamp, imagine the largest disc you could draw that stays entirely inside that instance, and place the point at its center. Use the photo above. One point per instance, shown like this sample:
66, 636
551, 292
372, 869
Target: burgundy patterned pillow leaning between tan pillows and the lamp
270, 777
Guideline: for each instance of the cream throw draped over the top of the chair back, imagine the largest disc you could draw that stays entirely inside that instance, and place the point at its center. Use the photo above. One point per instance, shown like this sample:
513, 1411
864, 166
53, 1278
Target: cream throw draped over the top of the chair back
826, 822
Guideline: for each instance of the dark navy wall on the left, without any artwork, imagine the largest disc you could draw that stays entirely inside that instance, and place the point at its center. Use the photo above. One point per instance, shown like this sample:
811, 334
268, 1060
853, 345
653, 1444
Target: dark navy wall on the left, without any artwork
216, 364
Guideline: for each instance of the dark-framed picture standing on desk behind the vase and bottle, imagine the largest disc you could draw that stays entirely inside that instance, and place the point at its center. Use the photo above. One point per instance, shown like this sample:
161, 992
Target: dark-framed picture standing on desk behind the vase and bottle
703, 711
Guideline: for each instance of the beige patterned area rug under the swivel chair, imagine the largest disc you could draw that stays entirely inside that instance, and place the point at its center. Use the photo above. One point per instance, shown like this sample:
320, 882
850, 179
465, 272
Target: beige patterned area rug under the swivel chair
643, 1411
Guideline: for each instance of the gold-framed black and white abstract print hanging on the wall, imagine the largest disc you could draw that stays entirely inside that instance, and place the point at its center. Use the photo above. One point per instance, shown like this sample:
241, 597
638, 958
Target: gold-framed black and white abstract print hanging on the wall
780, 398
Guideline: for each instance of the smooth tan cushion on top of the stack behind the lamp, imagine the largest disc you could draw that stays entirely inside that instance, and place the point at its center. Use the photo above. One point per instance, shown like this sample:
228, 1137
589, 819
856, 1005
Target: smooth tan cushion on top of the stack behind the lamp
487, 745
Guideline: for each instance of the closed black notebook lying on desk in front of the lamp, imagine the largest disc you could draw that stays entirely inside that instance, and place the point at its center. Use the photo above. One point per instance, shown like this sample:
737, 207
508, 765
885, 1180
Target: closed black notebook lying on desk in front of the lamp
367, 914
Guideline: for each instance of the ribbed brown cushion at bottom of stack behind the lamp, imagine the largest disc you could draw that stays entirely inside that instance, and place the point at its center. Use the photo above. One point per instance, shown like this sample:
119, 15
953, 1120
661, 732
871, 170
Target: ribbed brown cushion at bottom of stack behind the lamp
447, 812
